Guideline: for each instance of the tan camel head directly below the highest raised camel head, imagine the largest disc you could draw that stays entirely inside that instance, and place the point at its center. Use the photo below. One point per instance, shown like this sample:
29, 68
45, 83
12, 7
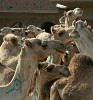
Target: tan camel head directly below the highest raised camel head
62, 34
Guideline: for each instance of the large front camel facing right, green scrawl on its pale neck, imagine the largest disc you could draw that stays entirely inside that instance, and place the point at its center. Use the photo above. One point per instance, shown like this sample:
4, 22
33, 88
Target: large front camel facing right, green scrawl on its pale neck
28, 58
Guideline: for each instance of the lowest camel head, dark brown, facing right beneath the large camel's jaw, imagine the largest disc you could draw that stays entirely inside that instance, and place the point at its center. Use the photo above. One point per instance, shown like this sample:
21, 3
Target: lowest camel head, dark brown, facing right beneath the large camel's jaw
51, 68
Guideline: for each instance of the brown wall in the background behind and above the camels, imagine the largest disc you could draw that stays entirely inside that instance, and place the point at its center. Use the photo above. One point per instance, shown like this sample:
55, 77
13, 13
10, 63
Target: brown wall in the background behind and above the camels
38, 12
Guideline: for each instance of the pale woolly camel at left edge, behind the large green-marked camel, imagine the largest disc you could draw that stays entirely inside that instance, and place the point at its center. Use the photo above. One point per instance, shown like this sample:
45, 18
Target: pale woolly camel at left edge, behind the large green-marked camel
9, 50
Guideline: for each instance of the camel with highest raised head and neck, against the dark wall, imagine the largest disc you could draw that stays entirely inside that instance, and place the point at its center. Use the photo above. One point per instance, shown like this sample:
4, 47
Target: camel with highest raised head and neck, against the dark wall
68, 18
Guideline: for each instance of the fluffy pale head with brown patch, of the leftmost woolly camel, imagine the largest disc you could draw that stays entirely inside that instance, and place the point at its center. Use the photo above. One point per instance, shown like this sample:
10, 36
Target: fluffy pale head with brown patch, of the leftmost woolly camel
11, 43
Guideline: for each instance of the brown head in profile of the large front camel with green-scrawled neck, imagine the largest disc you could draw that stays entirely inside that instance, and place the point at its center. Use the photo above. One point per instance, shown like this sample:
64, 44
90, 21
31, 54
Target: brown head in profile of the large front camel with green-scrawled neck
42, 49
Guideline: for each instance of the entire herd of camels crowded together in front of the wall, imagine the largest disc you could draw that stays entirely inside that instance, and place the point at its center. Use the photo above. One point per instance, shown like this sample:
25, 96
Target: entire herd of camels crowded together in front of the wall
56, 65
